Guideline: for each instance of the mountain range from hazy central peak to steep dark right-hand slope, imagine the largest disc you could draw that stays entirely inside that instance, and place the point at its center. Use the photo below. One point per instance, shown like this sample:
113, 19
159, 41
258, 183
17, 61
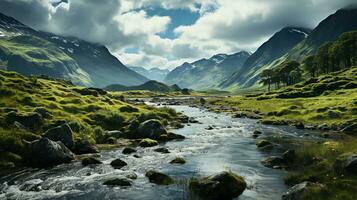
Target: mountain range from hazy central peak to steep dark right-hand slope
290, 43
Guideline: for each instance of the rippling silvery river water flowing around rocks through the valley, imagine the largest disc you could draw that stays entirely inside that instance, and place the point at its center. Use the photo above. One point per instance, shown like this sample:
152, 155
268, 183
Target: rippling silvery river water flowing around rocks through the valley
229, 146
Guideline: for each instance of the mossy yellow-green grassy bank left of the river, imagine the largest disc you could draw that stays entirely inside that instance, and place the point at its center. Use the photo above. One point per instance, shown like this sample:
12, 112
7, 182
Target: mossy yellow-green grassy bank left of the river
89, 112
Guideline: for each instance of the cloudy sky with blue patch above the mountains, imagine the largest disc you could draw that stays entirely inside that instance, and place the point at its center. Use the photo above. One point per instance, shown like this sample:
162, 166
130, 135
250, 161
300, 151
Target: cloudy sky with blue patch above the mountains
167, 33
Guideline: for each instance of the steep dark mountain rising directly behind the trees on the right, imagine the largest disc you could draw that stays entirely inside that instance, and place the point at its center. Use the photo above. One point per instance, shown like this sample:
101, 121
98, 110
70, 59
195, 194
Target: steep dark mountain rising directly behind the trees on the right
292, 44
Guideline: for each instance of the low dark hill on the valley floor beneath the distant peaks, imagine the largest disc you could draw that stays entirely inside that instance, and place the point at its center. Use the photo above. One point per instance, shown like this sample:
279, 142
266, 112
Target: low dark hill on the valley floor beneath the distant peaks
154, 86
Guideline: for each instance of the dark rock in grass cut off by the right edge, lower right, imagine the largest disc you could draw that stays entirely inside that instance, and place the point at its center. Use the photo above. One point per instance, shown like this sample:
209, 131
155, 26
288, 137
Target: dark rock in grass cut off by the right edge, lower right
346, 163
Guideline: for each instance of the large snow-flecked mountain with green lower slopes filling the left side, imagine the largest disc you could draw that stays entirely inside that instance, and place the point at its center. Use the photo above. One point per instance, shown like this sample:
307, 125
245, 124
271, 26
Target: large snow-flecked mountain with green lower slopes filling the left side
32, 52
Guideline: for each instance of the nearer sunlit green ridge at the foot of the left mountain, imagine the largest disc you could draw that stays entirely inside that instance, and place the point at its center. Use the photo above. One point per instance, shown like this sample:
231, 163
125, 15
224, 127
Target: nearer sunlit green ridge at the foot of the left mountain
30, 55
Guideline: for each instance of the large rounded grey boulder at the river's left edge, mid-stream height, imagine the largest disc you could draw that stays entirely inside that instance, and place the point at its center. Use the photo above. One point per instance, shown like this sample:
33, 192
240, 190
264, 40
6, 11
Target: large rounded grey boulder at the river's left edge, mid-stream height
152, 129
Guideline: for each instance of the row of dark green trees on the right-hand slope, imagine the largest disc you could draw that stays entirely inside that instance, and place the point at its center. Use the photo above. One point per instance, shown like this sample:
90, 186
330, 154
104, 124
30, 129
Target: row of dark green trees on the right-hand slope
330, 57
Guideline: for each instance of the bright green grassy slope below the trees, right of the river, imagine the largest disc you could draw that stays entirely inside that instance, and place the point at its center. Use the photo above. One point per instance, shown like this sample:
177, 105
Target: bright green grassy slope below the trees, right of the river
330, 99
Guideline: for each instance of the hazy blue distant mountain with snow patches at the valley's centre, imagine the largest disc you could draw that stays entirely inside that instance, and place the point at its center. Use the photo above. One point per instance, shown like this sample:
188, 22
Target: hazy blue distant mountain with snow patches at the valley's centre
206, 73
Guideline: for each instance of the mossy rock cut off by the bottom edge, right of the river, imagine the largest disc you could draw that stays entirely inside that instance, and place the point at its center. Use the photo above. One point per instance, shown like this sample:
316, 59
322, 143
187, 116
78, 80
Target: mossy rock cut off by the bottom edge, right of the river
301, 191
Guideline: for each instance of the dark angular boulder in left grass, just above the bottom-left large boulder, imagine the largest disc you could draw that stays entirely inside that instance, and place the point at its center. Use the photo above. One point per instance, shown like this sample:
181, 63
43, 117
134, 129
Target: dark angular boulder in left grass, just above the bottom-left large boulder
61, 133
